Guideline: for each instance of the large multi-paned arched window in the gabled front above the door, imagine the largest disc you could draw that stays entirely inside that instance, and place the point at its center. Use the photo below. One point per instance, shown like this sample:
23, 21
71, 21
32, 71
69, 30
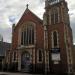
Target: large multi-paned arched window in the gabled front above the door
27, 35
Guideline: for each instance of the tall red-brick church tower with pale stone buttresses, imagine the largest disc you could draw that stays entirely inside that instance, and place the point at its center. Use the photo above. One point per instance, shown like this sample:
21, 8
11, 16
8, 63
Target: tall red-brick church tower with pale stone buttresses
58, 44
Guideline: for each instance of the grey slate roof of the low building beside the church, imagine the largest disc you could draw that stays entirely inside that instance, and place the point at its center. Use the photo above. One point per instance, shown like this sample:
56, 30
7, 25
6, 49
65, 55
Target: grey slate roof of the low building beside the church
3, 47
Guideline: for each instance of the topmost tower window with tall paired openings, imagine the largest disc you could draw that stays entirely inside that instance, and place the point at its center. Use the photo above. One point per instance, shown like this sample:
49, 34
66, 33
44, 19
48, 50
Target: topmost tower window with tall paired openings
54, 16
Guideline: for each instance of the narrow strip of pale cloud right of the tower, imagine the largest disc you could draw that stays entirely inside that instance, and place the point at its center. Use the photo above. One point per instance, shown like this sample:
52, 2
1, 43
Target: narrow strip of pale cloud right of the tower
71, 6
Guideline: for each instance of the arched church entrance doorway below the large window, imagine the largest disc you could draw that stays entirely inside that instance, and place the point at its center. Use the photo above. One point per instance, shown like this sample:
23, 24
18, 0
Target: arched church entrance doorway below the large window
25, 62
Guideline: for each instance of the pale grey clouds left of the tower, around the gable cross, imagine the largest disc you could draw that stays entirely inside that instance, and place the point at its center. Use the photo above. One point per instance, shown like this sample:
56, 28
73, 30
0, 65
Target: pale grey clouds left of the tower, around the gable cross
11, 11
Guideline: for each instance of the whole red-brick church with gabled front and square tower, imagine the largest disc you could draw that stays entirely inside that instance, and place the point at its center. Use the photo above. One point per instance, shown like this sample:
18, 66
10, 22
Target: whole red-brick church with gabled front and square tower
43, 46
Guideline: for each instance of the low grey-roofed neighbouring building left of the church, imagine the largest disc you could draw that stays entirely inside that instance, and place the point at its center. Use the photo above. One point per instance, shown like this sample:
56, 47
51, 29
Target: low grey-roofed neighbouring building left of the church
4, 46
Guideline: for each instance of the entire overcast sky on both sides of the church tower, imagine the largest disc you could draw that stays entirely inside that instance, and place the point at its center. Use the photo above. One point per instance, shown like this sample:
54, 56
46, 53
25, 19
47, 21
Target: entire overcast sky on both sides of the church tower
12, 10
